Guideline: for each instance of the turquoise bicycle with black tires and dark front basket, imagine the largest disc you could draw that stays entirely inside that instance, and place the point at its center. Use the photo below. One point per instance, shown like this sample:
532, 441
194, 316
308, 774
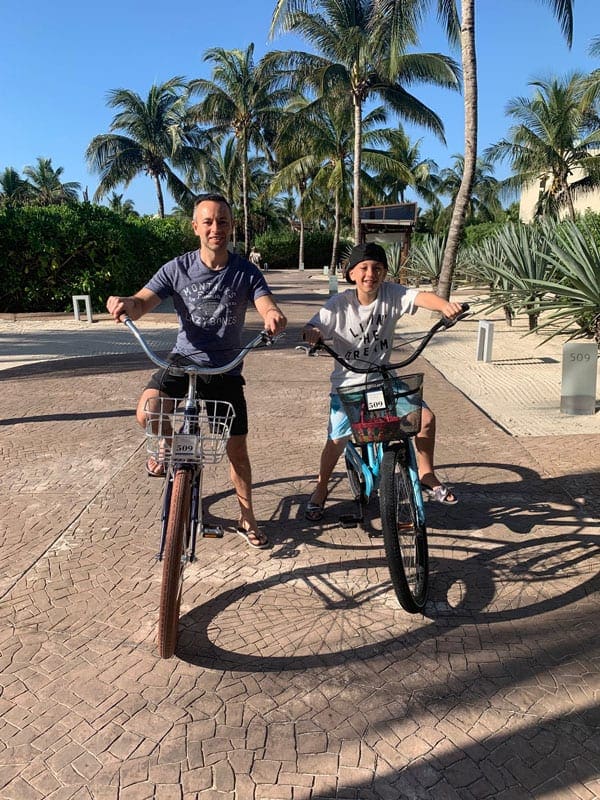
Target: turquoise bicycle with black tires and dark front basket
384, 415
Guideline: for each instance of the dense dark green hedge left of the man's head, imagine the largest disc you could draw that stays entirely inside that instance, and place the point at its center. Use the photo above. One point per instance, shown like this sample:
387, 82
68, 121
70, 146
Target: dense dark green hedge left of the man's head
48, 254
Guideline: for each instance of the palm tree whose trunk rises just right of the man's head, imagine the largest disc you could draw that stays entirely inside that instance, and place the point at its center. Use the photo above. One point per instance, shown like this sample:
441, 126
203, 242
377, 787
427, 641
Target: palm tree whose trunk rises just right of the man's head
242, 98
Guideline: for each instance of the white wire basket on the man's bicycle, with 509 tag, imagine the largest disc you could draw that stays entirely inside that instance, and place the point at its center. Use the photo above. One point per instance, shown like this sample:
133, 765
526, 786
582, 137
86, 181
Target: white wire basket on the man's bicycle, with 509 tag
172, 437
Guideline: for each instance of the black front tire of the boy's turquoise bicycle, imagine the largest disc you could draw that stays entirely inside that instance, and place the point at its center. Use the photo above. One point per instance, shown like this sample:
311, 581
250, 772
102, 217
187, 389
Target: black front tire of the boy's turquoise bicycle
404, 538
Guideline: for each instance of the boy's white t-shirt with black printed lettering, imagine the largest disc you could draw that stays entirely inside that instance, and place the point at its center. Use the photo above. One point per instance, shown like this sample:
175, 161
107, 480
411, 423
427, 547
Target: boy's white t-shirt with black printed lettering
362, 335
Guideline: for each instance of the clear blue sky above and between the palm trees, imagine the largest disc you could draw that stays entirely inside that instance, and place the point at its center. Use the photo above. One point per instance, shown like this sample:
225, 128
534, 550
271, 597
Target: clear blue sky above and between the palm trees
59, 60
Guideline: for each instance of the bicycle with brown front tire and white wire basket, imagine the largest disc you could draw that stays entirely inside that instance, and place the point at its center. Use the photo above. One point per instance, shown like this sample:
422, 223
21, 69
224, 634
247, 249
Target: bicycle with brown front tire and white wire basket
184, 441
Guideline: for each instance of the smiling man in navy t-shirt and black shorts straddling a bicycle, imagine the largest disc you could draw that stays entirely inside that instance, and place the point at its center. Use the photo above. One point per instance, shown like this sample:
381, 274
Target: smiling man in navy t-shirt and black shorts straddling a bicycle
211, 290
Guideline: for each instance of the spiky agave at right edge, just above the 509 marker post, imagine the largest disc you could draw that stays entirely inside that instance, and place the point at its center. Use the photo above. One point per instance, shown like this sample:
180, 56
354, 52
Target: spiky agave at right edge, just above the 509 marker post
571, 302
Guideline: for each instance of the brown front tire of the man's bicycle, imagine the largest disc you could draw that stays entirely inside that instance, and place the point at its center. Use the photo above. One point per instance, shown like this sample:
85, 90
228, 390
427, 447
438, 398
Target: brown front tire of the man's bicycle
173, 562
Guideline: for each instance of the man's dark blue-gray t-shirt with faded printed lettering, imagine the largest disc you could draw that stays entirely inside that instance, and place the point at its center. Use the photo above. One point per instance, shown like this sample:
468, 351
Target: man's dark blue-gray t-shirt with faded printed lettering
211, 305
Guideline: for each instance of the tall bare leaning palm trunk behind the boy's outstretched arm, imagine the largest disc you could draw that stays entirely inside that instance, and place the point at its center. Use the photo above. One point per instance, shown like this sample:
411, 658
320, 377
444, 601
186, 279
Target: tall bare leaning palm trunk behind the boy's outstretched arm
461, 204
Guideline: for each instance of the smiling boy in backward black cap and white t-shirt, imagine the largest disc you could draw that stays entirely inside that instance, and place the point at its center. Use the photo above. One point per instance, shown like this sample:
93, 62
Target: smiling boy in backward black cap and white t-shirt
361, 324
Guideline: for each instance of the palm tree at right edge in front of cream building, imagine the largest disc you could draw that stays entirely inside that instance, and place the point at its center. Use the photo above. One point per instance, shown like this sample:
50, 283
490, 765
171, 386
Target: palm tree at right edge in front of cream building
554, 139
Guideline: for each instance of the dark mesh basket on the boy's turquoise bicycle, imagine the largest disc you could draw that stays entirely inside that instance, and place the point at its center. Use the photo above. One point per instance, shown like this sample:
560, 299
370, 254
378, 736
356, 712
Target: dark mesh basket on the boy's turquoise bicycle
384, 410
